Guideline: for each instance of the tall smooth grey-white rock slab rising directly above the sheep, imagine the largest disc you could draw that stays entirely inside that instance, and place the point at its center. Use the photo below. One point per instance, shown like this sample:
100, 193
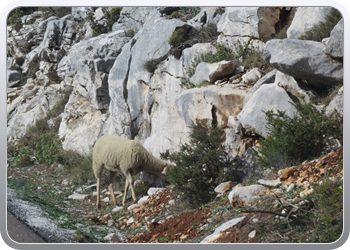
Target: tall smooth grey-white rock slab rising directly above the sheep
129, 81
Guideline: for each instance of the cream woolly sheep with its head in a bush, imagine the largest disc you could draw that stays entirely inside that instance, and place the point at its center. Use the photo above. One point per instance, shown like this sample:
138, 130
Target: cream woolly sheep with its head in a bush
118, 154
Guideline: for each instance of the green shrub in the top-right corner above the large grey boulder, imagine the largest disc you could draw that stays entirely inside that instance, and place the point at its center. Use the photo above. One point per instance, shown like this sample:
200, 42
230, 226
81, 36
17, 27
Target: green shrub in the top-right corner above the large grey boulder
323, 29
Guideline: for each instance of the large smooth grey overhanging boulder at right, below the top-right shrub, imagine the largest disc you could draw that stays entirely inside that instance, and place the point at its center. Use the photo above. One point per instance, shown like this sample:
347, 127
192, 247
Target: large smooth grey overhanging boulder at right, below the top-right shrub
304, 60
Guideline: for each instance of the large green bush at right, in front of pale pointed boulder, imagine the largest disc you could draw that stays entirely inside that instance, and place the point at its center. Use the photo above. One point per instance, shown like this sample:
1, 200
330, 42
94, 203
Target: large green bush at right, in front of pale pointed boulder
294, 140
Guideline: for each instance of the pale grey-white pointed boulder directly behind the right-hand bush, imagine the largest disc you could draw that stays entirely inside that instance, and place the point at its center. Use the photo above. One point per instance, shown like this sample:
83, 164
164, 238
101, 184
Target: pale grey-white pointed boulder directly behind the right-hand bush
252, 116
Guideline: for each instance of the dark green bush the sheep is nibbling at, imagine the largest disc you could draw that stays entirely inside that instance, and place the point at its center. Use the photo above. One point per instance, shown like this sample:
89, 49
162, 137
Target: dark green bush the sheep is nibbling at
199, 165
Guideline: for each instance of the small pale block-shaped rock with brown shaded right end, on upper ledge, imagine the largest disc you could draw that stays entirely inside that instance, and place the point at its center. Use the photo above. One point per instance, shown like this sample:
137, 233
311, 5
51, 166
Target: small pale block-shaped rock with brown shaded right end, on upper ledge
212, 72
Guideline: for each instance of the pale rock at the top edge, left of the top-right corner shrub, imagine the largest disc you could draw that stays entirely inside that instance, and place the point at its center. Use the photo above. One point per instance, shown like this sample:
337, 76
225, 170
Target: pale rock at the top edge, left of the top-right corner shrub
305, 19
